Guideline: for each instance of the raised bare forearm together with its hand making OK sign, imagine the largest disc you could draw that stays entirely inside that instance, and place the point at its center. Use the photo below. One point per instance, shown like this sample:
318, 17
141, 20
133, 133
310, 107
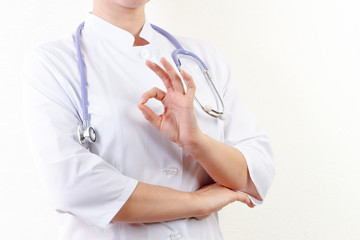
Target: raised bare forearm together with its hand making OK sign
226, 165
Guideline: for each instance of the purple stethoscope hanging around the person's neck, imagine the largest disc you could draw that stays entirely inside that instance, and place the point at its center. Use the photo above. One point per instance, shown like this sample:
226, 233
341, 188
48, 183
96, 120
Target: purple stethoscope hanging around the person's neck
87, 134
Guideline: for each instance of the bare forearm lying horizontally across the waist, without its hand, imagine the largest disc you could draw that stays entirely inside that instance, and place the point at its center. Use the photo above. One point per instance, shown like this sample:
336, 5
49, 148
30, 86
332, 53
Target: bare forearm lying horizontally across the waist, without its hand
150, 203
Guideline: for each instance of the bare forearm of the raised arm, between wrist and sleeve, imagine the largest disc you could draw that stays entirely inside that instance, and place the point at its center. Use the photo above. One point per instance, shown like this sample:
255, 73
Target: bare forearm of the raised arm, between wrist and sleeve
224, 163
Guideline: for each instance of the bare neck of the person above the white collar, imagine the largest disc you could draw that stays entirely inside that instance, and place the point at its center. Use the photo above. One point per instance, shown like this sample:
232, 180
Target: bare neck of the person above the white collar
128, 19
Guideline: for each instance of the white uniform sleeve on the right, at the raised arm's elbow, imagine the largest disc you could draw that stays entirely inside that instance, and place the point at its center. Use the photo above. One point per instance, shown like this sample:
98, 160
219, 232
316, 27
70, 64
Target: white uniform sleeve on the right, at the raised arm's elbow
242, 131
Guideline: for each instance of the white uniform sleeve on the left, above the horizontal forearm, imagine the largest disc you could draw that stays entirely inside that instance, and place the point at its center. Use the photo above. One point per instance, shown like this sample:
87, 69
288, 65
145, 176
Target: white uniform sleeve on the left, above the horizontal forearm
77, 181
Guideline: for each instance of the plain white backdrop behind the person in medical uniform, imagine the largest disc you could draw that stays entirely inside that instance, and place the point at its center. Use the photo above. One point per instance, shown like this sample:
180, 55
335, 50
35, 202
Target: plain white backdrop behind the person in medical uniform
297, 64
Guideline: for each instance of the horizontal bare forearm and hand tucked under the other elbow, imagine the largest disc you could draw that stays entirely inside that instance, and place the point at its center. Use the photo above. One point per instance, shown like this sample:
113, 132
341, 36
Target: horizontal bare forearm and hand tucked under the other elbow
150, 203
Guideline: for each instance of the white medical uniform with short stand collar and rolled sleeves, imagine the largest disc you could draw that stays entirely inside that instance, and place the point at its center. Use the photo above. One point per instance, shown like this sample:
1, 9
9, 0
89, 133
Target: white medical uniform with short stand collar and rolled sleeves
89, 186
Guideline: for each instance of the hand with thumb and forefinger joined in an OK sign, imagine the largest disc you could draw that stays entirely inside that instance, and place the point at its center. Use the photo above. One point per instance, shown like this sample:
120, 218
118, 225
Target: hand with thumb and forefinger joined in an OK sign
178, 121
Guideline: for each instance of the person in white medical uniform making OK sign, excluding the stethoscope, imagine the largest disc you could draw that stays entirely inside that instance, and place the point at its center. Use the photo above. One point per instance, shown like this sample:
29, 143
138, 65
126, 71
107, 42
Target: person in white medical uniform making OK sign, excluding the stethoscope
161, 167
